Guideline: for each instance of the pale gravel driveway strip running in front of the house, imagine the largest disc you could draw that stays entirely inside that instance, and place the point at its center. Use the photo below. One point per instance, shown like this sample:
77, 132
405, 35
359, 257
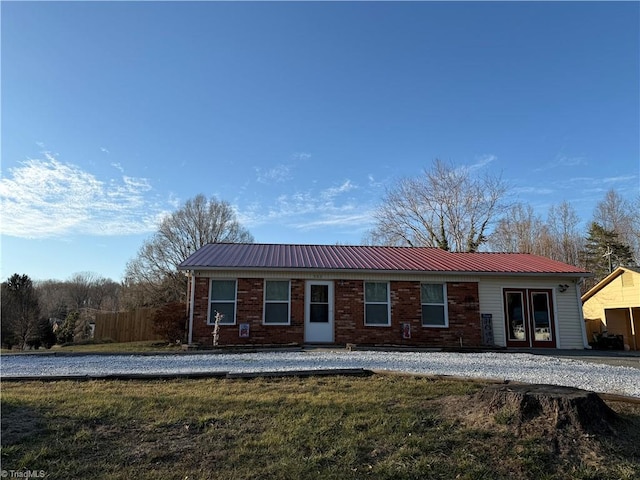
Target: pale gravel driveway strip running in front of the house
520, 367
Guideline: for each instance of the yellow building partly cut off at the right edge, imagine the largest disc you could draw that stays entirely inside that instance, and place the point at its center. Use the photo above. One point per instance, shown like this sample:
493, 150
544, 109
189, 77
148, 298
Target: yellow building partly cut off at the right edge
613, 305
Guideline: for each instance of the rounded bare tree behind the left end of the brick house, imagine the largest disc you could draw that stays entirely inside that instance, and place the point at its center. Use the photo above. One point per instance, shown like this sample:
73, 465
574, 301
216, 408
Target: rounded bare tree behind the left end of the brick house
152, 277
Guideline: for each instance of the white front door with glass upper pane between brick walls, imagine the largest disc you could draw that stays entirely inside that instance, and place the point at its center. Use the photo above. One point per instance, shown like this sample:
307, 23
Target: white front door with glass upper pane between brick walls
318, 312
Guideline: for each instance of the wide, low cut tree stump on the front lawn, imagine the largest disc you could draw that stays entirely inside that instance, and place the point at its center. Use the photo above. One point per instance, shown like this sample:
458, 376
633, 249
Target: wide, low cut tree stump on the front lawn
549, 406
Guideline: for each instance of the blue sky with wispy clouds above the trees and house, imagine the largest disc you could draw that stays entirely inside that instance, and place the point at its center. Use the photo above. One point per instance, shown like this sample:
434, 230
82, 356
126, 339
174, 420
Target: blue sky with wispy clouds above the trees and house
298, 114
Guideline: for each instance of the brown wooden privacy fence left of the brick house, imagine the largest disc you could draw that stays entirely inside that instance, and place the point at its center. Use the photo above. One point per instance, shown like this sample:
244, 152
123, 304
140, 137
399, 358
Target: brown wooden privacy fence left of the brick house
135, 326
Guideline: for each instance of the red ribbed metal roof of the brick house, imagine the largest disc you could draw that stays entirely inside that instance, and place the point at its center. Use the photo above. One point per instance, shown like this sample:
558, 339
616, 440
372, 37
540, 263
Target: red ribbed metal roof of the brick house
220, 256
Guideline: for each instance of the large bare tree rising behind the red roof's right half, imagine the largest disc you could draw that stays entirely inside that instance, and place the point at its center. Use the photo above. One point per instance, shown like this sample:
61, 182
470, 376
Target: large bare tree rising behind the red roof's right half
446, 208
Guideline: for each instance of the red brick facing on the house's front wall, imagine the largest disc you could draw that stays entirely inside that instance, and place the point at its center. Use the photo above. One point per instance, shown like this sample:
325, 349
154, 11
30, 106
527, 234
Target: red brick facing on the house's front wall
463, 308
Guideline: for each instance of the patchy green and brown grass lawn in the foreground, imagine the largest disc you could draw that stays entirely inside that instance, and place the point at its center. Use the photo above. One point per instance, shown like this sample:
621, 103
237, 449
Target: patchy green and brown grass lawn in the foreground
382, 427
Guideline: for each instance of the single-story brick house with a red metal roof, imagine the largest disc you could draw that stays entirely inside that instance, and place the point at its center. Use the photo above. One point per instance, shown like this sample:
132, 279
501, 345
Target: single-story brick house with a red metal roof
368, 295
